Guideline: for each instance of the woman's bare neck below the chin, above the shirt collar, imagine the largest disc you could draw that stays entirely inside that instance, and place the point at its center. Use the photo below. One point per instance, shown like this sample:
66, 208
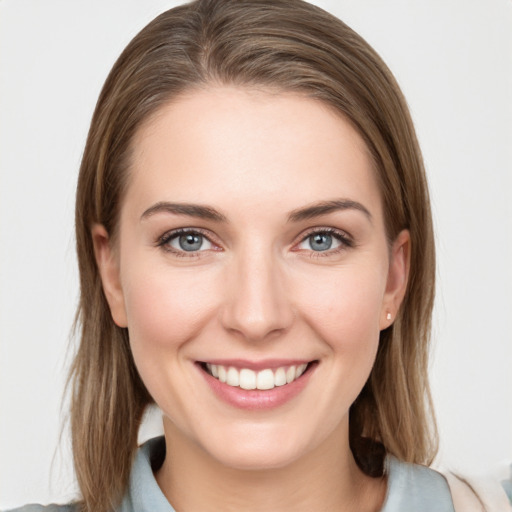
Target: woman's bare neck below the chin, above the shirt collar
327, 478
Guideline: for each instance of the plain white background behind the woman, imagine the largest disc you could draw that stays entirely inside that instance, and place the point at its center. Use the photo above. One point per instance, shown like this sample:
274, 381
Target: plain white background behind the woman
453, 59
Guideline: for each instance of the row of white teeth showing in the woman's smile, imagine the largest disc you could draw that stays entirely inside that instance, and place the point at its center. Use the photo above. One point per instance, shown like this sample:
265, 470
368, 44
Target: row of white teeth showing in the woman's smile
248, 379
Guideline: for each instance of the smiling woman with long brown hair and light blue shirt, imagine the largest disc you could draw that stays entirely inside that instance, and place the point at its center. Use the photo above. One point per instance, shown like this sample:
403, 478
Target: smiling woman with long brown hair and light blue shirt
256, 257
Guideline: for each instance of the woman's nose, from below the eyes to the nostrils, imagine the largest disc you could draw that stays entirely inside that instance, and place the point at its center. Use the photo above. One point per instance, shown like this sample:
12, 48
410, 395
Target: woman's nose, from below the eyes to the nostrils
256, 306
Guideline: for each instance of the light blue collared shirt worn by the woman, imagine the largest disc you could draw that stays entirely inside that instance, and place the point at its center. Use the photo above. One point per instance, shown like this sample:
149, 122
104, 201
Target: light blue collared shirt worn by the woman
410, 487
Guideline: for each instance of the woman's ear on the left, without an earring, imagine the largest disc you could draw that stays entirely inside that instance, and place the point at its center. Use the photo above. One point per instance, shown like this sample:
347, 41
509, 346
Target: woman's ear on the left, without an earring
108, 265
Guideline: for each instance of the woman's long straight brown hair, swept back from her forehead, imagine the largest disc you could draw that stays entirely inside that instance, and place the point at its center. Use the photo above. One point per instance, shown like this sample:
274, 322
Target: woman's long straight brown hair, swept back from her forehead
283, 45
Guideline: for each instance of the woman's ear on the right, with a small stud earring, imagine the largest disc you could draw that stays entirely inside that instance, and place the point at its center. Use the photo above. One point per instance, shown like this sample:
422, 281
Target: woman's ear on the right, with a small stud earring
398, 275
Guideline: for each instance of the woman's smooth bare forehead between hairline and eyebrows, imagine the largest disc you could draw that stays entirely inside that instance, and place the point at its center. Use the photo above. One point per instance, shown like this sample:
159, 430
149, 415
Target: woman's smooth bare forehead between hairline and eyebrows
226, 143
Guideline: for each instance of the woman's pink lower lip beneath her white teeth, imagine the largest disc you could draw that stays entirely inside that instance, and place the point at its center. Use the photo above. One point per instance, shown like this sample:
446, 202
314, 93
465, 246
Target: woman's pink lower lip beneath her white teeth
256, 399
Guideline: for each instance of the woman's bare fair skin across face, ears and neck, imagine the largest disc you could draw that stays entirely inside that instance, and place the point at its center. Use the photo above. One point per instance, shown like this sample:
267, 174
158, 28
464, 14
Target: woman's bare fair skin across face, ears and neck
255, 290
